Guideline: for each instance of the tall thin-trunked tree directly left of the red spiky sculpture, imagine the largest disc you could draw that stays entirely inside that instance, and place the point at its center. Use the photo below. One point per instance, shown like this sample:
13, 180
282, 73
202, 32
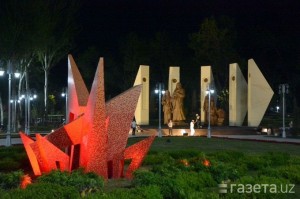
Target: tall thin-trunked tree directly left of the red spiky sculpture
55, 25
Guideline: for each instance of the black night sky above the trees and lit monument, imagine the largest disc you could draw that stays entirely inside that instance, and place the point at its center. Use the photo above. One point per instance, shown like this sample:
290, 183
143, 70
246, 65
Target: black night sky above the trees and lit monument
104, 24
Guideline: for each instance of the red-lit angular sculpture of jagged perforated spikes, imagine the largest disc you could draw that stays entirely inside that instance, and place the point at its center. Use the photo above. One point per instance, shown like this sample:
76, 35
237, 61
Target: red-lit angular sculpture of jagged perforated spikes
95, 137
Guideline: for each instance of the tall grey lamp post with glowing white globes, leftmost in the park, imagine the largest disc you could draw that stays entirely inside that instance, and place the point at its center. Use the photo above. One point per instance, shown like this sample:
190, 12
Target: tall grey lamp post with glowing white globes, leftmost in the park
17, 74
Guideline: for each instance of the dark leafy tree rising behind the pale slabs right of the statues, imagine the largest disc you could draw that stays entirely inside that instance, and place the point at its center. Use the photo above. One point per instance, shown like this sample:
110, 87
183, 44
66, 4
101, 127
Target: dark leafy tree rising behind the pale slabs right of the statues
214, 45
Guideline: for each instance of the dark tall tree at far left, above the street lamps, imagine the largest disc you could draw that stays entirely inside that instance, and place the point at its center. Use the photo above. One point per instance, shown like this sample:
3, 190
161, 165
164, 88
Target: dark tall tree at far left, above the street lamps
16, 39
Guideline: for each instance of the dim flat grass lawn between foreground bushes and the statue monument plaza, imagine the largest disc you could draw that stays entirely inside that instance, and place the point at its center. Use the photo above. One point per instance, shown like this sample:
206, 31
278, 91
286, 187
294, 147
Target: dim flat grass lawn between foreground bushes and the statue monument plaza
167, 144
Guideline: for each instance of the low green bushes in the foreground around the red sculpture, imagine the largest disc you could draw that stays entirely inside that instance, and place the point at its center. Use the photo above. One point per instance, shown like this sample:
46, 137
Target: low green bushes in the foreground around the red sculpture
182, 174
